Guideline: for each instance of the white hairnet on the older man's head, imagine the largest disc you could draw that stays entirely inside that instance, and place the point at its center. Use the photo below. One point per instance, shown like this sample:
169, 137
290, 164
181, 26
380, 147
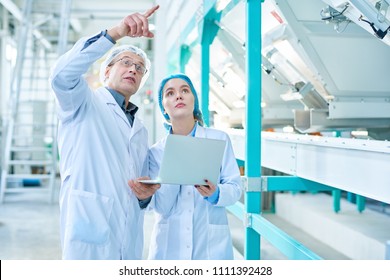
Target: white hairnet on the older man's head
117, 51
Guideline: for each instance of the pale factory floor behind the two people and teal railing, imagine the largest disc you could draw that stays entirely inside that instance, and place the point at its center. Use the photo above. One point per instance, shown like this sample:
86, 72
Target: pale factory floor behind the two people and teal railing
29, 230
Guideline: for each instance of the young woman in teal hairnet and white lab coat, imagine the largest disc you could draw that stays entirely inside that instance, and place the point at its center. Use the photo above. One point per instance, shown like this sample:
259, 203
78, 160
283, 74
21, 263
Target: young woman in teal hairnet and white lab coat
191, 221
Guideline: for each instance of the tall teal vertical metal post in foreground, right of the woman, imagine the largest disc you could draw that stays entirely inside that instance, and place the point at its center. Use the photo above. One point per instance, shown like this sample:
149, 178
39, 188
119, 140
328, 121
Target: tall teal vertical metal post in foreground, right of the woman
253, 123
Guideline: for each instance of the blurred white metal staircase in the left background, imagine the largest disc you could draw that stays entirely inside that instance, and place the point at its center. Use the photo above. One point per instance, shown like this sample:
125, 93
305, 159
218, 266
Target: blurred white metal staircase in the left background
29, 161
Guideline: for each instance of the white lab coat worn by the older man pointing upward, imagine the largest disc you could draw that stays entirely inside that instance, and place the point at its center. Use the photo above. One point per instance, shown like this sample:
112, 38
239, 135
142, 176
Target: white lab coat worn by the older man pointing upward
99, 152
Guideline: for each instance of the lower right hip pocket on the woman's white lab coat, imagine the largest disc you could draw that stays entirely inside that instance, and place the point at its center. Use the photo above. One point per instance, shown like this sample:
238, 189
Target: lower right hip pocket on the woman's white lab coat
220, 242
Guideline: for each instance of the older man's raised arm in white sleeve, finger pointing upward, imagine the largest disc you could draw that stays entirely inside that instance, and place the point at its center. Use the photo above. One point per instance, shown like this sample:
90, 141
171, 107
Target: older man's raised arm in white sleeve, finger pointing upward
66, 78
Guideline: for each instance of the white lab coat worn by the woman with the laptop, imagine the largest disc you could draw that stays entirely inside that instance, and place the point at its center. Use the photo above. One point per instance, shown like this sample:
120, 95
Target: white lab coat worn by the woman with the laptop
188, 226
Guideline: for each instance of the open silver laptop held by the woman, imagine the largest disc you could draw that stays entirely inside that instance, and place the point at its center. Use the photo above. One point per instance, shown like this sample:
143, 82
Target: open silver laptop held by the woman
189, 160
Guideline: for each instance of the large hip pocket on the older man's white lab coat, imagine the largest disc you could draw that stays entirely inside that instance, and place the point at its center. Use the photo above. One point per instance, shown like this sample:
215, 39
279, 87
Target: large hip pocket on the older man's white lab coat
89, 217
